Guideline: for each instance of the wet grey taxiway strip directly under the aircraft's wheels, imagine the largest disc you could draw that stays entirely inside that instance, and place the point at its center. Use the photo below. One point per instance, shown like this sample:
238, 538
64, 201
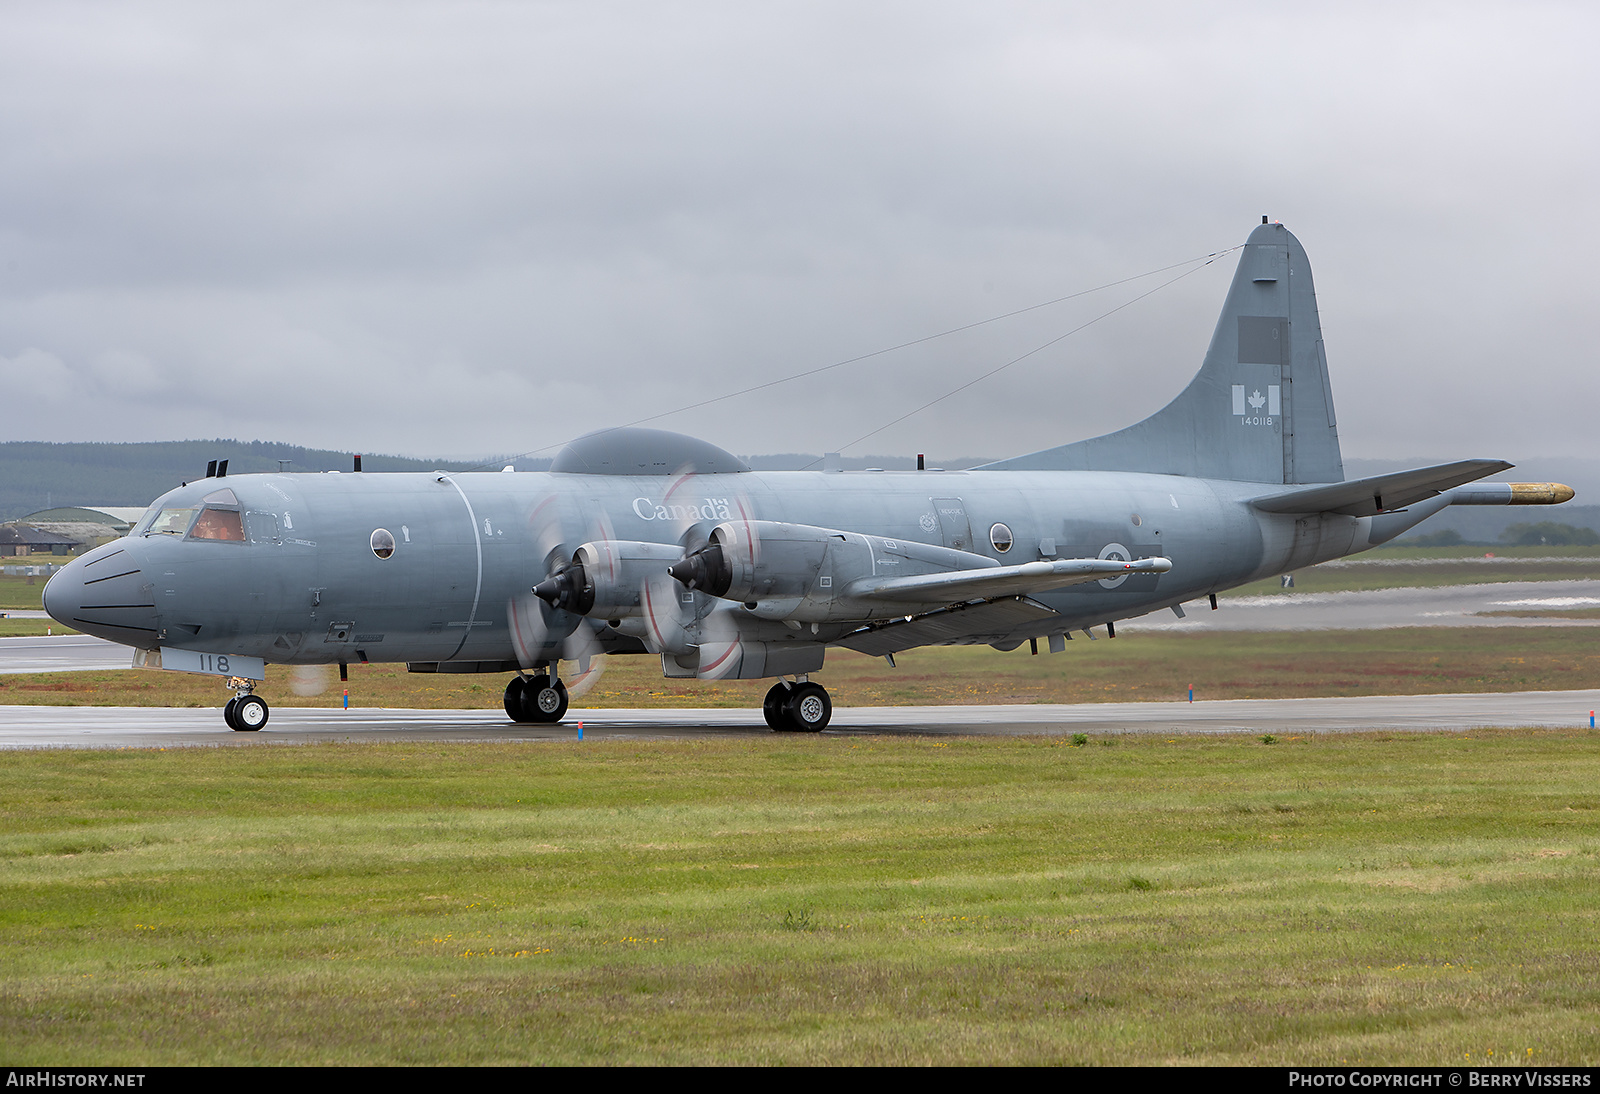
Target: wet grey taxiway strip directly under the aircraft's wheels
167, 729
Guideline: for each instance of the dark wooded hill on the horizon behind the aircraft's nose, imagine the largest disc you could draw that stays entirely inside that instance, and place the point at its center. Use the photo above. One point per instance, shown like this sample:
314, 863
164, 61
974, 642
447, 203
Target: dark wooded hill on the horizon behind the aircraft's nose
41, 476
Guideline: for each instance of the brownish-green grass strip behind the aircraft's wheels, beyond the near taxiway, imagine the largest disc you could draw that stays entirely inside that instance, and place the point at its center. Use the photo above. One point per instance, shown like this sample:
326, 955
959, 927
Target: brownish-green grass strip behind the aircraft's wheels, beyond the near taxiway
1150, 666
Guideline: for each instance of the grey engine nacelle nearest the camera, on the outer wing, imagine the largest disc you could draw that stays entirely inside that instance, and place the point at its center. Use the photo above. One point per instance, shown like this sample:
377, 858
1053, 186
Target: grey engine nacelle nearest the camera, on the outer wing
804, 573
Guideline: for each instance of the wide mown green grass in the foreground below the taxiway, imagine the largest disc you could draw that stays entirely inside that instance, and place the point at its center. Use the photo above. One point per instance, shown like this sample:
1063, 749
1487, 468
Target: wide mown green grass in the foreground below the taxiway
1364, 900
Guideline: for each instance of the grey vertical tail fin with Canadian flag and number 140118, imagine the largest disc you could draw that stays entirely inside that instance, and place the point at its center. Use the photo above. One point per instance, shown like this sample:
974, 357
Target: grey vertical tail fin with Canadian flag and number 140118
1260, 409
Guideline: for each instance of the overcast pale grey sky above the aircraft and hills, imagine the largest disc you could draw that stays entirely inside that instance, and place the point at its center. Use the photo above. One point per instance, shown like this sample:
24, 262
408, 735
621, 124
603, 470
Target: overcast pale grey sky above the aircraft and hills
486, 228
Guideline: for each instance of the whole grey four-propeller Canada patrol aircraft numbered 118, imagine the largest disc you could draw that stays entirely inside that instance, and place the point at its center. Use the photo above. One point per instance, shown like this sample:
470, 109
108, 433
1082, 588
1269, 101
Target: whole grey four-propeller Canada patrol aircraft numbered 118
641, 541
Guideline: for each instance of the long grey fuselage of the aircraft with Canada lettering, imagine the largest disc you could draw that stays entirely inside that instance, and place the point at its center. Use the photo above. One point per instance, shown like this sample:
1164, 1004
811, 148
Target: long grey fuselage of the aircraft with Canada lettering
297, 569
